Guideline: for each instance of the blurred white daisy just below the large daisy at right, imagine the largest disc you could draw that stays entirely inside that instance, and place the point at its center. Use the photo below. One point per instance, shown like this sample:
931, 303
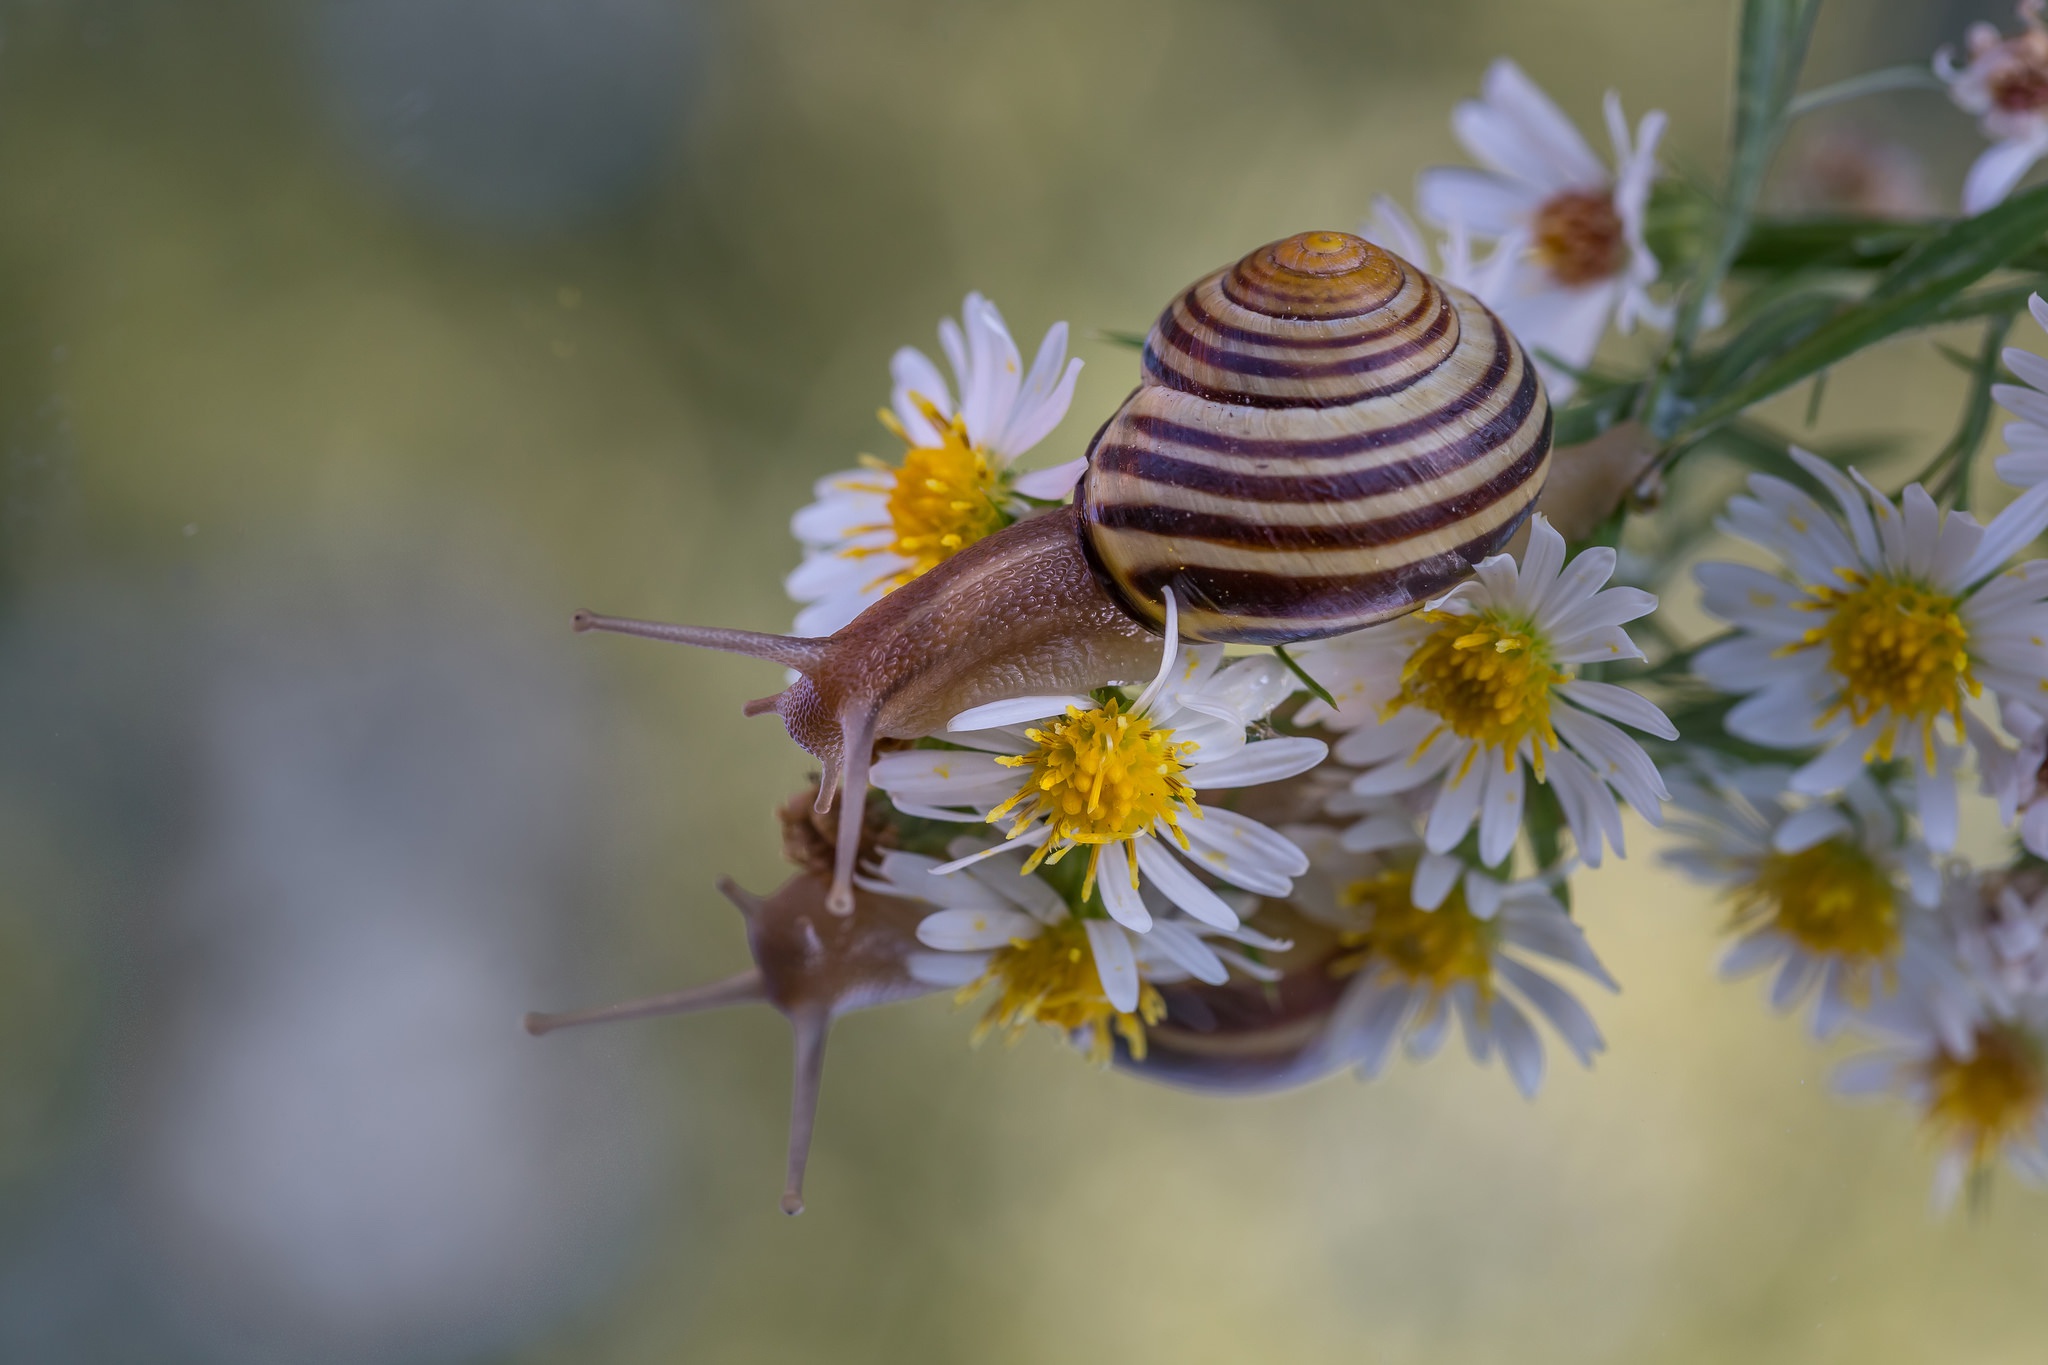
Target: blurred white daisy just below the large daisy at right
1832, 897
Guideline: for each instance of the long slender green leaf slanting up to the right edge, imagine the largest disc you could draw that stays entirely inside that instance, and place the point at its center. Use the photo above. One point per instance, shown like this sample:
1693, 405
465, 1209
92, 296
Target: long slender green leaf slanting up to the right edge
1908, 296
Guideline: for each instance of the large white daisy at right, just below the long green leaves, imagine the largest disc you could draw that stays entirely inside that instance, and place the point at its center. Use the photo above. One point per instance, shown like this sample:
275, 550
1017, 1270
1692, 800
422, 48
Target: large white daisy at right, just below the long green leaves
1891, 617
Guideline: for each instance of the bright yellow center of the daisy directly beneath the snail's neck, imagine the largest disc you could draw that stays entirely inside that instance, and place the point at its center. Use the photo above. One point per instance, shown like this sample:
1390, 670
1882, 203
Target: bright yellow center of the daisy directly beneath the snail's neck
1099, 777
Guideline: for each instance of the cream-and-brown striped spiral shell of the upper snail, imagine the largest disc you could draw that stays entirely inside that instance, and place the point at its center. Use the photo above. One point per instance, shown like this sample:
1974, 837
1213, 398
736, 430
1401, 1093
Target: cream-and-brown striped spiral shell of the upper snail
1324, 439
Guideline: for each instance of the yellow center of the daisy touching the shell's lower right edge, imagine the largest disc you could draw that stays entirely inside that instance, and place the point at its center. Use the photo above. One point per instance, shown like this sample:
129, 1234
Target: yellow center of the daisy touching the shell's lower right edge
1486, 678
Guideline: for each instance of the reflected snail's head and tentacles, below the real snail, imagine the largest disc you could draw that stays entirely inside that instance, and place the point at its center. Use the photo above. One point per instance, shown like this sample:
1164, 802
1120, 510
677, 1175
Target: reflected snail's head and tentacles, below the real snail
808, 965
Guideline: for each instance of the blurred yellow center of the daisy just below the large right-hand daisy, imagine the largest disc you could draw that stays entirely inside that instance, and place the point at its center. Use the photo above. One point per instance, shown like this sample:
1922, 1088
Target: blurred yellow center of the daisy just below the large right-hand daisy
1832, 899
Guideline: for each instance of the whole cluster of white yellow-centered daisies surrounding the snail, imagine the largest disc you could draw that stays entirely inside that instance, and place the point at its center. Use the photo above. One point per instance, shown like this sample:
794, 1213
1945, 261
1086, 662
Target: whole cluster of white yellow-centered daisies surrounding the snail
1482, 748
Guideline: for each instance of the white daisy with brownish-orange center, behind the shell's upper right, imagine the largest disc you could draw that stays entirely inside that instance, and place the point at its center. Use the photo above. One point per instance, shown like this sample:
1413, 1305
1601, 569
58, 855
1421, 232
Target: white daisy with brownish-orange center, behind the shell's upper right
1572, 226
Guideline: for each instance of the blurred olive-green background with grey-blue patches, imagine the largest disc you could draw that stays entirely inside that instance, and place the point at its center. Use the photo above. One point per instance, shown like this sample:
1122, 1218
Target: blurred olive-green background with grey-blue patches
347, 347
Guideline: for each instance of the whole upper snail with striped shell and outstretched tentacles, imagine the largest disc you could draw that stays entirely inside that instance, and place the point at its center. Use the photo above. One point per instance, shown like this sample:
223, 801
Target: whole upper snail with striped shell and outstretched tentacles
1324, 439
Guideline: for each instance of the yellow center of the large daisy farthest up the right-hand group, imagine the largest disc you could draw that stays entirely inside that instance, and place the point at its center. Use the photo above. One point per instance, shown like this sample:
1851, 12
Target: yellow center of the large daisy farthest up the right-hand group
1897, 648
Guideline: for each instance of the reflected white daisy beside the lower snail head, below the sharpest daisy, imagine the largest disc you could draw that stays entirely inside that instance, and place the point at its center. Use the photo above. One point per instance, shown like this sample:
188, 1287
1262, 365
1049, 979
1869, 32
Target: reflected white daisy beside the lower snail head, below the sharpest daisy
1086, 977
